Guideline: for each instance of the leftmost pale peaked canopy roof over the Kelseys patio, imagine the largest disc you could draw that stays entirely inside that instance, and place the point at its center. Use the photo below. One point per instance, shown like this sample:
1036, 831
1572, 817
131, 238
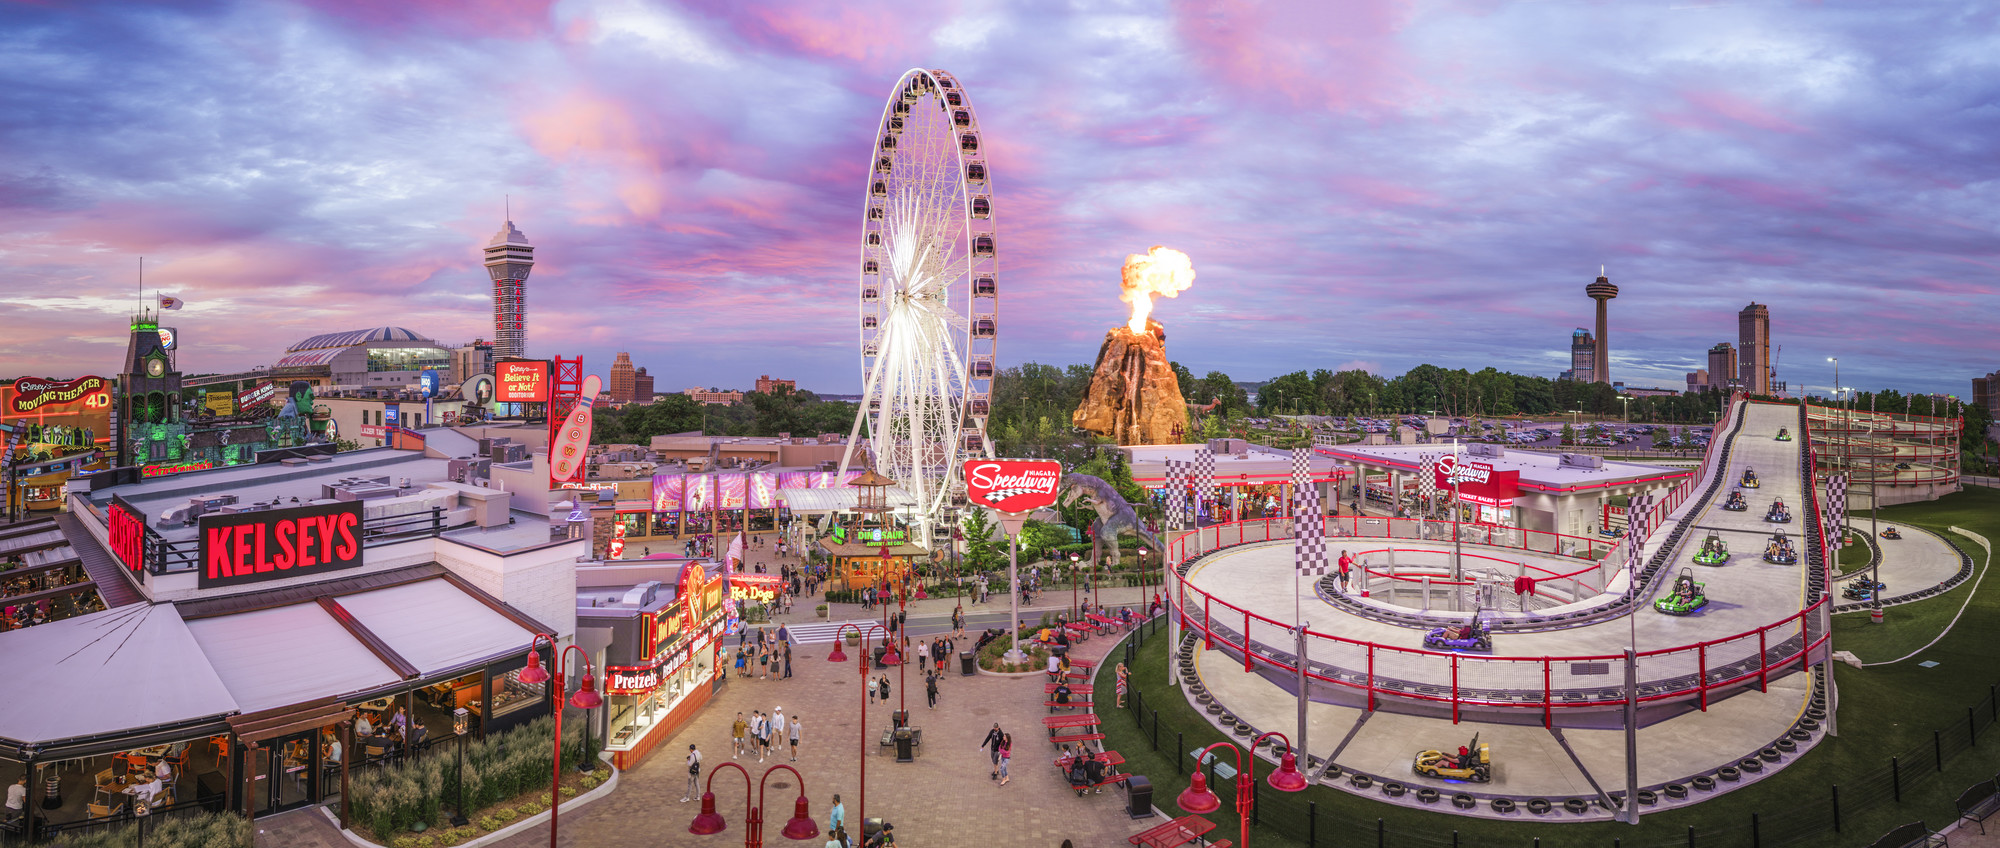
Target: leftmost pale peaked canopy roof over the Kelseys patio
127, 669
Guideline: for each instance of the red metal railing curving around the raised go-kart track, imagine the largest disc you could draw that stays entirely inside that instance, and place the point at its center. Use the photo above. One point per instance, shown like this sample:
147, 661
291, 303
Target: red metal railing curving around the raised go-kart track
1519, 683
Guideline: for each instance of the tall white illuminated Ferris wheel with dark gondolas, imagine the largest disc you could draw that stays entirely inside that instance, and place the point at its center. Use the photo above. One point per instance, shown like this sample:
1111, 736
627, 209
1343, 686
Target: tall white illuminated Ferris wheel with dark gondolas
929, 295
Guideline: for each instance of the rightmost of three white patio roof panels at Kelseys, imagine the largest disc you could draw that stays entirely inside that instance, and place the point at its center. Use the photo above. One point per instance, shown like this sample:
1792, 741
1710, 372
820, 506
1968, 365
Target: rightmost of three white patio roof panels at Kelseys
435, 625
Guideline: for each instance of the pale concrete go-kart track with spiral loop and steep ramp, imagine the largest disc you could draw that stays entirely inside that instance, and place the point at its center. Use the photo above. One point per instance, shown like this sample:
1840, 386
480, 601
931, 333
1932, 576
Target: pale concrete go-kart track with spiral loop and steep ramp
1721, 695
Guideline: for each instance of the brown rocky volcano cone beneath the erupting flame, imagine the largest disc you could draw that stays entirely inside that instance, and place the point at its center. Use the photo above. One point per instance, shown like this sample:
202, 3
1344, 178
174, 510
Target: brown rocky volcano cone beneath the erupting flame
1135, 397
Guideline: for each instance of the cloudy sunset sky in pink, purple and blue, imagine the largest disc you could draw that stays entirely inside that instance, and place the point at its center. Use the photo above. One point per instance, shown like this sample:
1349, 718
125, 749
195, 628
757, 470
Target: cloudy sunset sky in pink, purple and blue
1359, 183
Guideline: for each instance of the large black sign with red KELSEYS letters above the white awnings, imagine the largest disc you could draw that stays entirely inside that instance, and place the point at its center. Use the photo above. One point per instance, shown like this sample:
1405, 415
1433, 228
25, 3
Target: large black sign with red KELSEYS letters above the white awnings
253, 547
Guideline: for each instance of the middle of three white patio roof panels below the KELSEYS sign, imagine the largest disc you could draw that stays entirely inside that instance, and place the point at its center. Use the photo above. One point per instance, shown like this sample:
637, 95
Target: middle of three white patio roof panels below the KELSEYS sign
287, 655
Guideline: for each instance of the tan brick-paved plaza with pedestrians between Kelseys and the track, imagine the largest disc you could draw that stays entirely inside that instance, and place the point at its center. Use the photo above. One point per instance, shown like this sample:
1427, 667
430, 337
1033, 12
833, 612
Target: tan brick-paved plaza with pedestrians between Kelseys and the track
943, 799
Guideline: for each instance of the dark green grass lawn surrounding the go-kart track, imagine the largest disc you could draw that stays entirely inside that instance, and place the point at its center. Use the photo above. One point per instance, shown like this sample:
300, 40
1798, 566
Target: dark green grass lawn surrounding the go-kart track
1885, 711
